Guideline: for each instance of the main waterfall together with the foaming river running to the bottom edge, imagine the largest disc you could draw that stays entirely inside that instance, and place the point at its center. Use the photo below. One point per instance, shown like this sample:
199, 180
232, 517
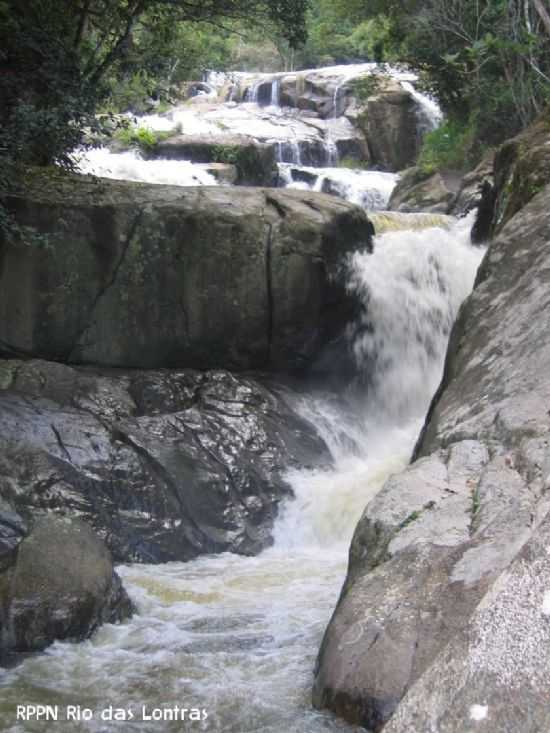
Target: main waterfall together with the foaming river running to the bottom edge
238, 636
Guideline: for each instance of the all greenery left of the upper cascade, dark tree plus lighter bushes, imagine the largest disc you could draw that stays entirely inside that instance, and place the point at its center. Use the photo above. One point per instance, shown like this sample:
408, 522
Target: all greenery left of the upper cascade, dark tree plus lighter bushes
60, 60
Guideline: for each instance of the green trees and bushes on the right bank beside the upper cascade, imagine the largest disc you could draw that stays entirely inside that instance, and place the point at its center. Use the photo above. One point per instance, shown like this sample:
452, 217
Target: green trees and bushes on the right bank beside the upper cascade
488, 61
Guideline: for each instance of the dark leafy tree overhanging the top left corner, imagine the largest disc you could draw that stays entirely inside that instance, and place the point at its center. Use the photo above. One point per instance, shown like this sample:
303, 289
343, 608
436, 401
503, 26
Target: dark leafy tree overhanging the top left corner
55, 56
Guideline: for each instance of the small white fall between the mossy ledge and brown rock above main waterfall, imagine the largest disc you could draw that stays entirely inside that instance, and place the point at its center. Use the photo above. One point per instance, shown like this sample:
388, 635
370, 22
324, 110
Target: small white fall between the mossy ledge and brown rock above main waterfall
369, 189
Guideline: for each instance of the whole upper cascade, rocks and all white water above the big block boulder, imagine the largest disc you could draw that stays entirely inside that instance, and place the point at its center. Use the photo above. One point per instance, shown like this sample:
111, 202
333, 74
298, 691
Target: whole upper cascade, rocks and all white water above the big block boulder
300, 129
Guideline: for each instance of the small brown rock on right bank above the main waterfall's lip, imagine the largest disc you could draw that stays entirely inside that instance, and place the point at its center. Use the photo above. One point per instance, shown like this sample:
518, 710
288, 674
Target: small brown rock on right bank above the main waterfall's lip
418, 191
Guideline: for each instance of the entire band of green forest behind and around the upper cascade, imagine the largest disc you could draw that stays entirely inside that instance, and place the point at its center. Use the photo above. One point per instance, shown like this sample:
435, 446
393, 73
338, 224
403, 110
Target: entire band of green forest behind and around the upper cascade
487, 61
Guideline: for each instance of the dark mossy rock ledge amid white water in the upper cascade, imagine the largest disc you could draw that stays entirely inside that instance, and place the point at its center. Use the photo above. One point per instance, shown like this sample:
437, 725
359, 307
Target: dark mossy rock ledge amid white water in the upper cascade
254, 162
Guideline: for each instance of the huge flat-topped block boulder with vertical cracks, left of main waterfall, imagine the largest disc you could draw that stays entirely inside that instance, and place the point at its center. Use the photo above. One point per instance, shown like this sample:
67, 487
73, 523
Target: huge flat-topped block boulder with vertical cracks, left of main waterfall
137, 275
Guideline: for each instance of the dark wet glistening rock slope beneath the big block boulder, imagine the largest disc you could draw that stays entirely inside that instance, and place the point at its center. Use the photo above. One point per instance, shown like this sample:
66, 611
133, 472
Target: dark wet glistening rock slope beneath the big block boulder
165, 465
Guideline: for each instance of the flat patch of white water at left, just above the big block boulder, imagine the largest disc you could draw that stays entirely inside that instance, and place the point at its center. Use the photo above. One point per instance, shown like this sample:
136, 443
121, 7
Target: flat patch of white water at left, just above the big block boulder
130, 166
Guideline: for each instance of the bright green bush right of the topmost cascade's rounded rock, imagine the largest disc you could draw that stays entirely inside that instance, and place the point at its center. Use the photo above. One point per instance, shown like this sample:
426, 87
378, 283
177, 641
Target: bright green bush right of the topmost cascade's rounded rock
450, 146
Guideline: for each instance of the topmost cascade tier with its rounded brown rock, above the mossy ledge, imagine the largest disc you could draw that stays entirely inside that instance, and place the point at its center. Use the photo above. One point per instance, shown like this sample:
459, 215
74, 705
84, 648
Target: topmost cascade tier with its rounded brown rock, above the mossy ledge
310, 117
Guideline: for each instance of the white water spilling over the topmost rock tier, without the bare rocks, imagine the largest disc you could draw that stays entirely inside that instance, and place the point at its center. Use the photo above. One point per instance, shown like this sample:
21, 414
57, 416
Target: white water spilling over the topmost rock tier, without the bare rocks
292, 132
